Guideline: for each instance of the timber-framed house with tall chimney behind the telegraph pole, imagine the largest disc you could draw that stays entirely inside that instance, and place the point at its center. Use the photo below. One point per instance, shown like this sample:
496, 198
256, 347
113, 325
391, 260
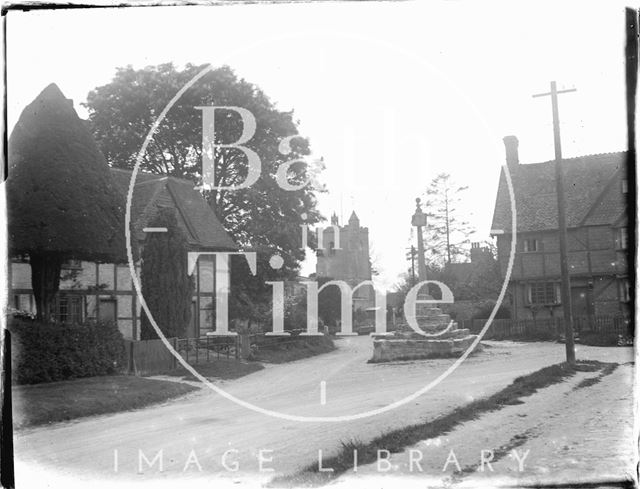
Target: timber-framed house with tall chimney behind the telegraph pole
596, 213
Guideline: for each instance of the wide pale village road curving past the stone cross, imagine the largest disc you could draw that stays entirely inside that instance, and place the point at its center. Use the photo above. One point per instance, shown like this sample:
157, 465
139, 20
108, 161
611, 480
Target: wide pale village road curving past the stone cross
107, 449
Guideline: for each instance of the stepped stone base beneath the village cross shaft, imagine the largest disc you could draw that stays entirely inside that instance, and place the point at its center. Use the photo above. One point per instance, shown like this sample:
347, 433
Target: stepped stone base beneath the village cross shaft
406, 344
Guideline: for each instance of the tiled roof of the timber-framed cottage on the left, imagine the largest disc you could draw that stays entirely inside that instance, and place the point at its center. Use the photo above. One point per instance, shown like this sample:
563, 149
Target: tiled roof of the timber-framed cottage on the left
197, 220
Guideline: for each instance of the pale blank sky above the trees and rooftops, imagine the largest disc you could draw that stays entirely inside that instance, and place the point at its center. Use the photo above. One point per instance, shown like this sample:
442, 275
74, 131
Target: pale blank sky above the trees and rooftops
390, 94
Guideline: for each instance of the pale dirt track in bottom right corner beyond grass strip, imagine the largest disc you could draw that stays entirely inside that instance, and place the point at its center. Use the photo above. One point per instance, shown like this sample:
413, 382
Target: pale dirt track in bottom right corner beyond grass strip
567, 433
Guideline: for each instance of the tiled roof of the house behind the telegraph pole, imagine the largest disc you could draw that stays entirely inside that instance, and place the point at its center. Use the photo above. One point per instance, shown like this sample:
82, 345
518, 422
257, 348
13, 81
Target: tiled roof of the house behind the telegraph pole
592, 191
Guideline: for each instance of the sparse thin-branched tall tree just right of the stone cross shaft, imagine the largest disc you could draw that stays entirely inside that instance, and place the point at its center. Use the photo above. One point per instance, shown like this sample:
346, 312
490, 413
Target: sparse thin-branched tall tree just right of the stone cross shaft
447, 233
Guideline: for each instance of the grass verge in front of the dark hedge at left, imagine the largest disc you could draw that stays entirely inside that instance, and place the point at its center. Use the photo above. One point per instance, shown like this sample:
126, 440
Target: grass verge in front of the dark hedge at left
41, 404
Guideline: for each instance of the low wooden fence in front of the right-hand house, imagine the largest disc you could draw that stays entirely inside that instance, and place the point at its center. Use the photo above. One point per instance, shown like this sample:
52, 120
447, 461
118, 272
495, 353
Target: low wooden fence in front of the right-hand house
550, 328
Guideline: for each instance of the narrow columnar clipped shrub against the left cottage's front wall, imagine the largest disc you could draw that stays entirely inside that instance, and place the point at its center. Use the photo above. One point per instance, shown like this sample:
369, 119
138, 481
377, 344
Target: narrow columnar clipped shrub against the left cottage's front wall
166, 284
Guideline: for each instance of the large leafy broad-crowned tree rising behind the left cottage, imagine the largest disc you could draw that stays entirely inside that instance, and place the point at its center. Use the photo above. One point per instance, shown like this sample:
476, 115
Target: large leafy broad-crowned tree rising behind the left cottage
262, 216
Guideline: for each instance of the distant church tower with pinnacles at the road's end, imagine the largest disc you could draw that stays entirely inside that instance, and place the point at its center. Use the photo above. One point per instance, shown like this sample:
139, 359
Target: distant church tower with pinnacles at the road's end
345, 256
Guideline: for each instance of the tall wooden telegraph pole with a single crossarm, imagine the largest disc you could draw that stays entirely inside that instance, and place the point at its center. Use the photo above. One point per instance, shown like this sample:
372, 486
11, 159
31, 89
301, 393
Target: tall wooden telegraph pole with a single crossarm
562, 224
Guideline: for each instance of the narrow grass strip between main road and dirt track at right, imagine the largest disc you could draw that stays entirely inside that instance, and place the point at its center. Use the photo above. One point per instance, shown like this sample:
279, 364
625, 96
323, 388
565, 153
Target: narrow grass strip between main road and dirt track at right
395, 441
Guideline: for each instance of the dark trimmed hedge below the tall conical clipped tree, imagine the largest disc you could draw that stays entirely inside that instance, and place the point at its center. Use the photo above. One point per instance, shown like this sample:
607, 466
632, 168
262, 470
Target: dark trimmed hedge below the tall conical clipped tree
49, 352
